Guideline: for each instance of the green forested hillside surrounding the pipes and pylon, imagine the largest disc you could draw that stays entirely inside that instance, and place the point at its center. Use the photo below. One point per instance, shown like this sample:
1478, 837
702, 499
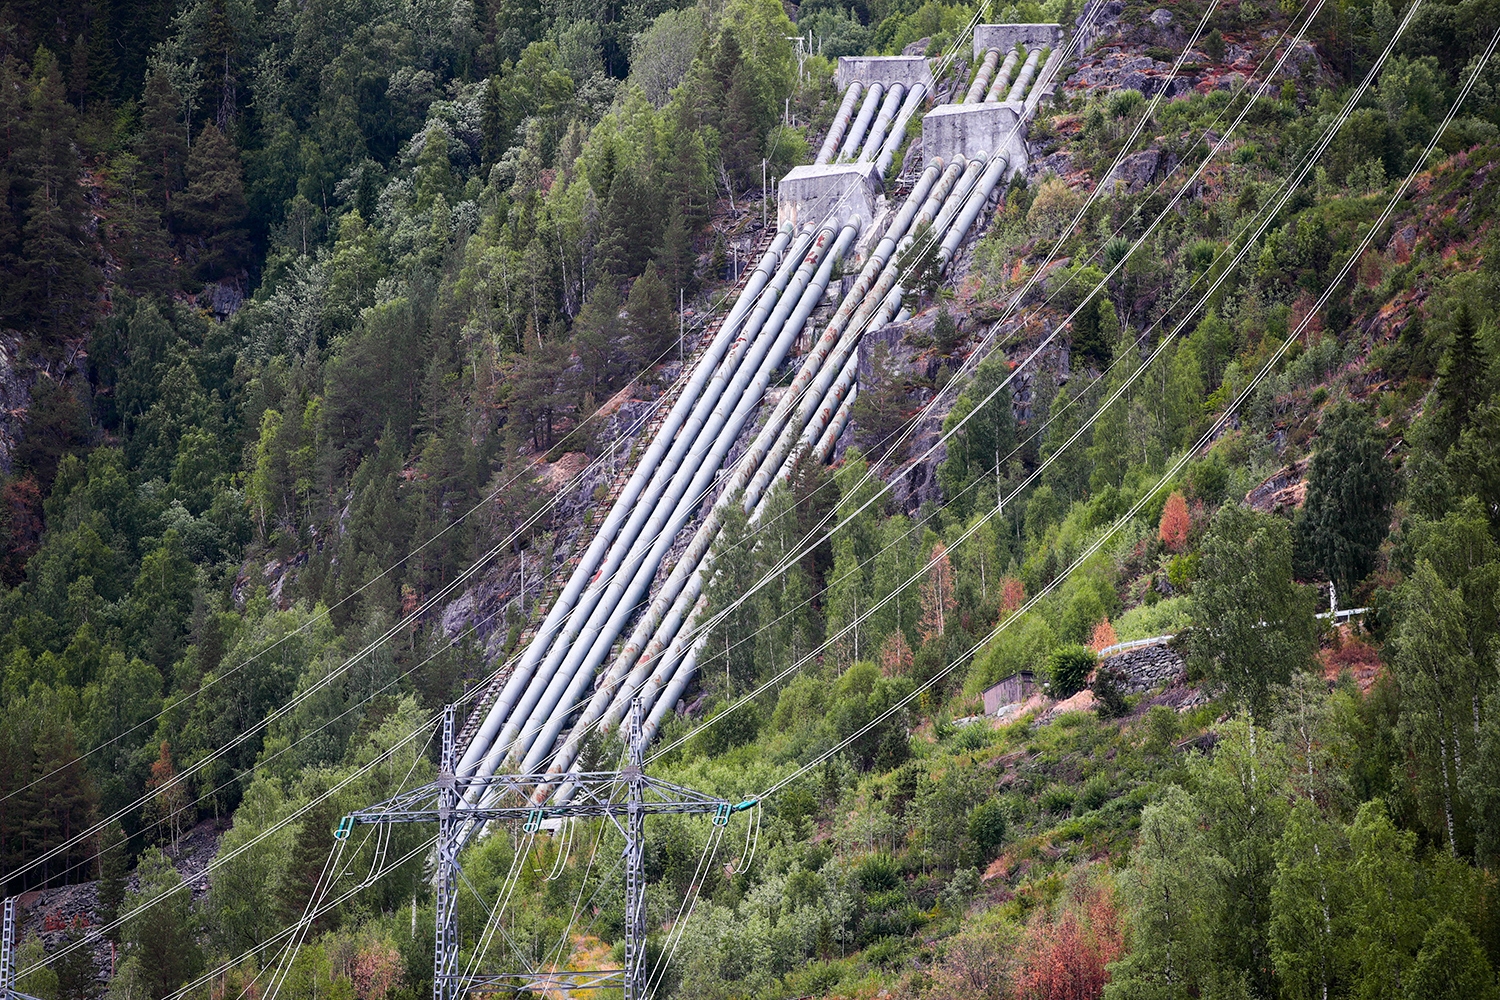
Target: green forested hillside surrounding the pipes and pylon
307, 308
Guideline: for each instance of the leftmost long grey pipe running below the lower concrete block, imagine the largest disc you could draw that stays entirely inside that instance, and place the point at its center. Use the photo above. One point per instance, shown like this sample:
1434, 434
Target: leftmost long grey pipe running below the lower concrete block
625, 504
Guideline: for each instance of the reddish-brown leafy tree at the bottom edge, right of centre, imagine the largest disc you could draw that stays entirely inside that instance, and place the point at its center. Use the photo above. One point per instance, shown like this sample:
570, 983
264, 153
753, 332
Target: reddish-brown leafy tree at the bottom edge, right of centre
1067, 957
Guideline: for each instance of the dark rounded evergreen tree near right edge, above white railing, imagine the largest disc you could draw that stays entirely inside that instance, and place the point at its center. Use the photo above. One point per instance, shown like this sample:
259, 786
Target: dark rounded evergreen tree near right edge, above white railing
1348, 510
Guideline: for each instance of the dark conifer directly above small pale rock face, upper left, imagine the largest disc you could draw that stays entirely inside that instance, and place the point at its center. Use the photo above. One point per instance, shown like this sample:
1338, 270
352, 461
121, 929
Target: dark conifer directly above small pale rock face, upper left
212, 208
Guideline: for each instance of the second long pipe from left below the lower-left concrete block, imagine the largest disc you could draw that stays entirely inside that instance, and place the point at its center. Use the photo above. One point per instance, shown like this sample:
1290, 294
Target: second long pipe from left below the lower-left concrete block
629, 542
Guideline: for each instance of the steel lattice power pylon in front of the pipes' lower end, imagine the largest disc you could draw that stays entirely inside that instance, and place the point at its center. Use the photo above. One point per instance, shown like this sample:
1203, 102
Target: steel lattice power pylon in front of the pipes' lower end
446, 803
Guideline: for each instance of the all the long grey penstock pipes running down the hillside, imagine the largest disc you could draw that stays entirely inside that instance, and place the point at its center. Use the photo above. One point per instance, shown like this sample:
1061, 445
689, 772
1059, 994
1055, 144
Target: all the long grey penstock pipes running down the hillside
679, 469
